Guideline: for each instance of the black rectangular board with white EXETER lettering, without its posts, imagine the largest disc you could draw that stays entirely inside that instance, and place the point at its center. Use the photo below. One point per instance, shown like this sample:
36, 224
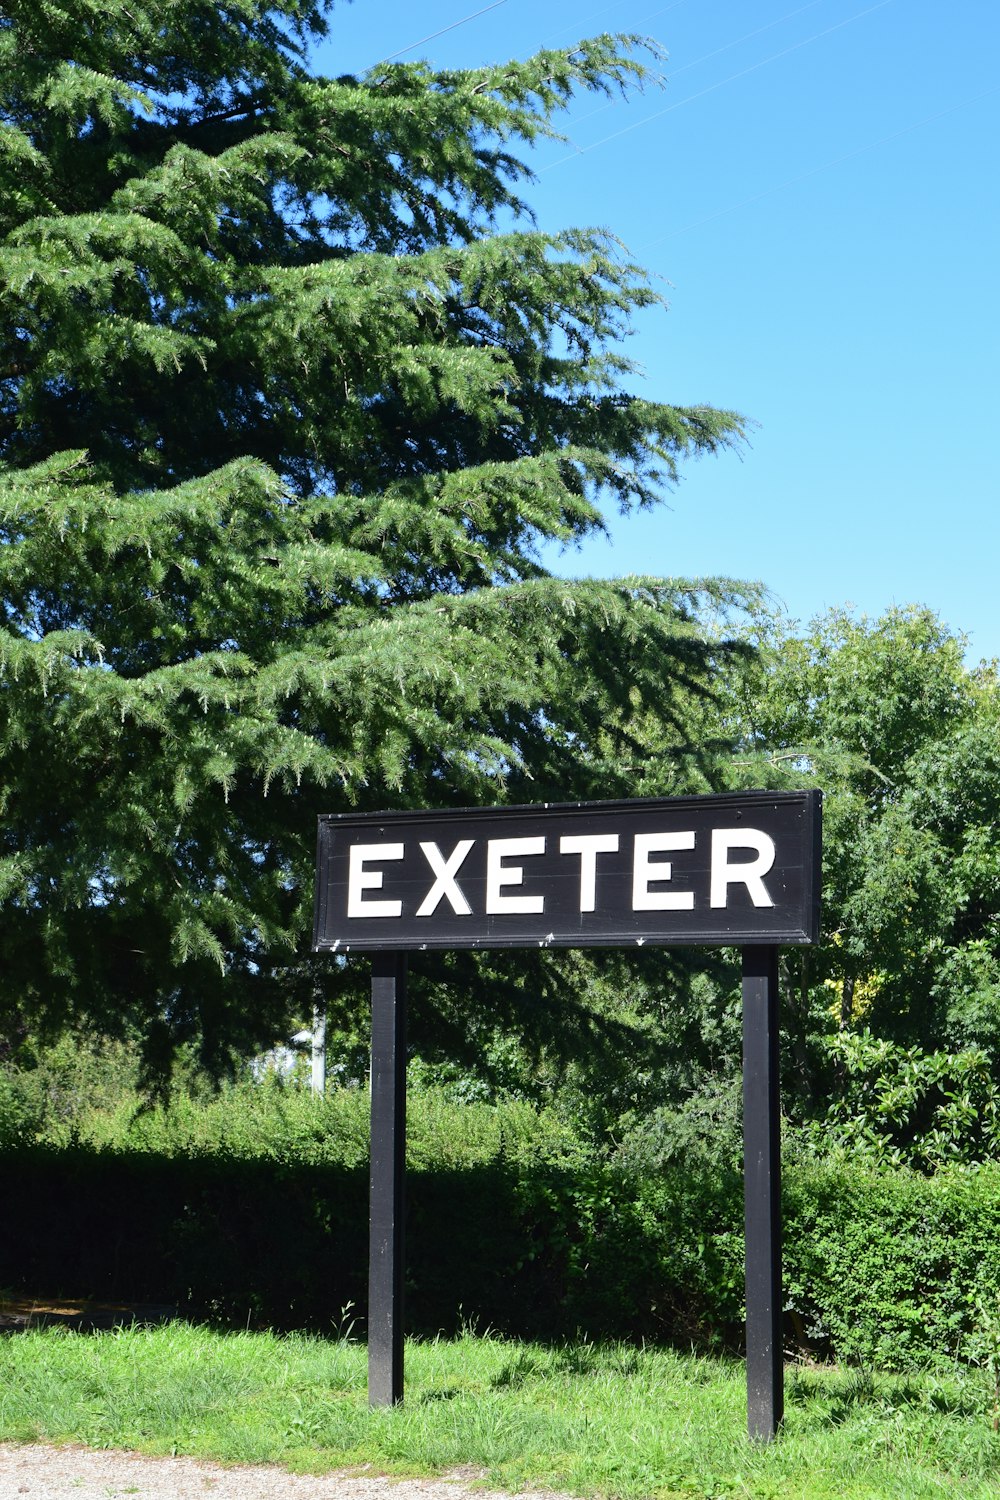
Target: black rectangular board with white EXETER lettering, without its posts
714, 871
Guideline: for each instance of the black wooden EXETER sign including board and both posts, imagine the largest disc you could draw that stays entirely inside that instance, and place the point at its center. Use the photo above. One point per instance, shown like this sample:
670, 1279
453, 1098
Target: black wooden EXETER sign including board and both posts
732, 871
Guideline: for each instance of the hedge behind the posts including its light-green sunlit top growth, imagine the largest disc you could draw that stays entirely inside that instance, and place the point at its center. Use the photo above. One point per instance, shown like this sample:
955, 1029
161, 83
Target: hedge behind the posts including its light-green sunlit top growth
251, 1201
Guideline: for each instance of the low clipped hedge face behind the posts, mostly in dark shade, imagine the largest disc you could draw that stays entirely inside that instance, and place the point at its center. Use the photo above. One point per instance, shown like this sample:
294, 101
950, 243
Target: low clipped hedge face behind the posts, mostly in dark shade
882, 1268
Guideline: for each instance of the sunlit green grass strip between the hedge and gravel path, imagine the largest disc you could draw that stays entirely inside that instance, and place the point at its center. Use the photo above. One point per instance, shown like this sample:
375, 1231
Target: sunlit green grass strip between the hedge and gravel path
593, 1420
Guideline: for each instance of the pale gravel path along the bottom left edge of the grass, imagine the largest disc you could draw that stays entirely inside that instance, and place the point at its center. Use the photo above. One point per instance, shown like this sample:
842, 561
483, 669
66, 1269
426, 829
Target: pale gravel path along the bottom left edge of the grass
82, 1474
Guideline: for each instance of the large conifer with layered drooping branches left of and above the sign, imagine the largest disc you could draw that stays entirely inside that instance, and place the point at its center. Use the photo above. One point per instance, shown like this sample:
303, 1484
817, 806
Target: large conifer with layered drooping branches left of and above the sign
284, 418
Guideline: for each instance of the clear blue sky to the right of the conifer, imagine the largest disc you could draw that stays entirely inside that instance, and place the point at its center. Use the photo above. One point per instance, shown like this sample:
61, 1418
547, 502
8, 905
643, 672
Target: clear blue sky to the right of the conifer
818, 191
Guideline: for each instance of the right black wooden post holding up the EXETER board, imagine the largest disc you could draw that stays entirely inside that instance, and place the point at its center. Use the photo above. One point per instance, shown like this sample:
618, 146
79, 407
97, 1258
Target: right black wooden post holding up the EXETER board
762, 1193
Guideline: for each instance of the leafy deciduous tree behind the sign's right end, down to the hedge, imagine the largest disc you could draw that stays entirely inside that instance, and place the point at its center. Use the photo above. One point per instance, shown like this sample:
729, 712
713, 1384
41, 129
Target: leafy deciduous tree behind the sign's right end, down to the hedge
893, 1024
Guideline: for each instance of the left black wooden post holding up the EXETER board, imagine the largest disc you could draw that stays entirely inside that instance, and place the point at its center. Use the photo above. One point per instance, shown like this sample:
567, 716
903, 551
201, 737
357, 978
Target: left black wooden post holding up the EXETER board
388, 1181
